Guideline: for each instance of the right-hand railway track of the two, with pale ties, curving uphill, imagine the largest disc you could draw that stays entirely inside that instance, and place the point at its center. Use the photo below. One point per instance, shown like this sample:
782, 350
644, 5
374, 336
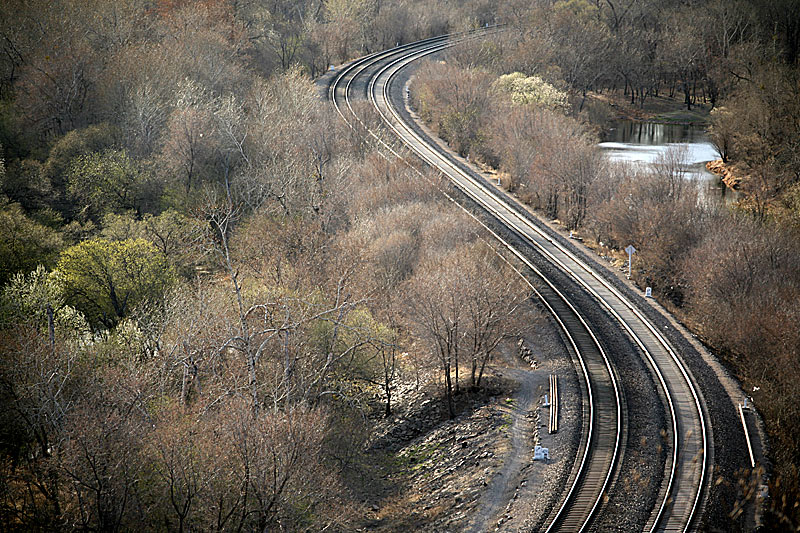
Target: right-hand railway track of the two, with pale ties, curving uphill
656, 519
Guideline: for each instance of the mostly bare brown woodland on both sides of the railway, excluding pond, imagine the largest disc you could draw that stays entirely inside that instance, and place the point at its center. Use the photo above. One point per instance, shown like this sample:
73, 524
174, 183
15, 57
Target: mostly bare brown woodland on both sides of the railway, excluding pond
211, 288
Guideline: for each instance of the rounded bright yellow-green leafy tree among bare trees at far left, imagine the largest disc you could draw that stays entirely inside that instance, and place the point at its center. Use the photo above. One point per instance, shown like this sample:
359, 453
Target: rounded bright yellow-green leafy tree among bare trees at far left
107, 279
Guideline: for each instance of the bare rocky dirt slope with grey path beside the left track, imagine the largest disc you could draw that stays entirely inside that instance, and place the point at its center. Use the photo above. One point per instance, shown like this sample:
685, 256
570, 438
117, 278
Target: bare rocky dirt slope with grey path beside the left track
475, 472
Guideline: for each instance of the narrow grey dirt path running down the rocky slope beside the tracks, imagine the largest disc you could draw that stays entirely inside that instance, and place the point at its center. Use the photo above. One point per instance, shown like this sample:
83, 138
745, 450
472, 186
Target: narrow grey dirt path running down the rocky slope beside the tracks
502, 487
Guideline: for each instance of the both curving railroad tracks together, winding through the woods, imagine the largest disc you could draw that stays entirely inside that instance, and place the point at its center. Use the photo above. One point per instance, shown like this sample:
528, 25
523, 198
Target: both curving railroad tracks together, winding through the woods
681, 492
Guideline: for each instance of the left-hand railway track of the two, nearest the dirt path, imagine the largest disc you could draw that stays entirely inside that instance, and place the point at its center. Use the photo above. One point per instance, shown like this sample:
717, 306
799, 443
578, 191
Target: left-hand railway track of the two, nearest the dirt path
580, 521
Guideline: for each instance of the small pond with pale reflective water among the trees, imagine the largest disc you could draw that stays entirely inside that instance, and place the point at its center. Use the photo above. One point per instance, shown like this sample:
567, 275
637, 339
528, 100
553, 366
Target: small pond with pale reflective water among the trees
642, 142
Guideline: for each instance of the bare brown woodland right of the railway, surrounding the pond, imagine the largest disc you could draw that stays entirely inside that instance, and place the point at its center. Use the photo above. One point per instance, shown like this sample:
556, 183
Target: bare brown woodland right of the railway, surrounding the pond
530, 103
